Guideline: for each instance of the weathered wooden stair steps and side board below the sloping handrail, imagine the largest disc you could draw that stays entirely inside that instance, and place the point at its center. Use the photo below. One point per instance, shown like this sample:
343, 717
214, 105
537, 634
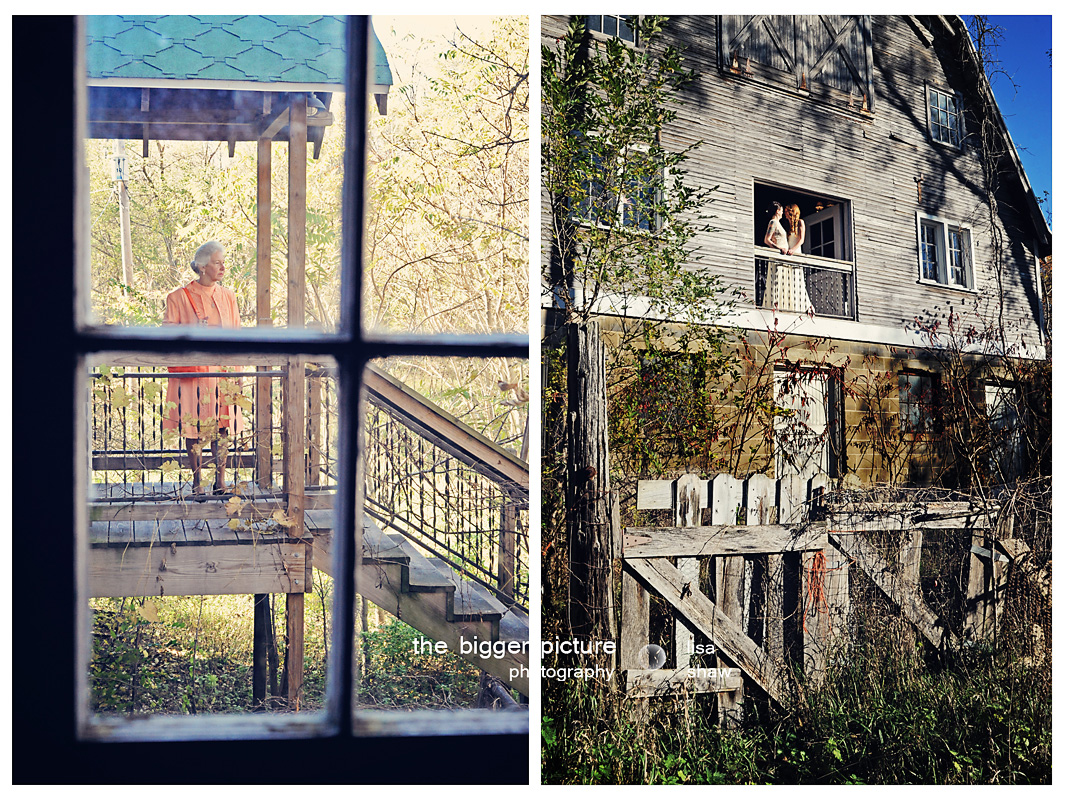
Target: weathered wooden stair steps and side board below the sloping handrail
429, 596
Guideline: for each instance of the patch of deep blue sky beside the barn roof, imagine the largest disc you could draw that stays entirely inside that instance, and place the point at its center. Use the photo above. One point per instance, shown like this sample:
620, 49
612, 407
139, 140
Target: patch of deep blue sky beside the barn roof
1028, 106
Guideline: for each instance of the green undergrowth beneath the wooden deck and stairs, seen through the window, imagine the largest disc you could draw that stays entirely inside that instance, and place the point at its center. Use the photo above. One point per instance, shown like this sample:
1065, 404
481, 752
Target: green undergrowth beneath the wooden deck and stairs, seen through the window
194, 655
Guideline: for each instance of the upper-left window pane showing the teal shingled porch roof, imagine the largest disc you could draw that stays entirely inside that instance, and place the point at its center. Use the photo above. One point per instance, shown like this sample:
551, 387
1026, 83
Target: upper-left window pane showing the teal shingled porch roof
178, 157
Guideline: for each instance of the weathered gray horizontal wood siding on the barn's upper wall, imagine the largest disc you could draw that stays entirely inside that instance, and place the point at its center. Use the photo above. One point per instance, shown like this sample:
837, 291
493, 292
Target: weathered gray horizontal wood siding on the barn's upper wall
756, 132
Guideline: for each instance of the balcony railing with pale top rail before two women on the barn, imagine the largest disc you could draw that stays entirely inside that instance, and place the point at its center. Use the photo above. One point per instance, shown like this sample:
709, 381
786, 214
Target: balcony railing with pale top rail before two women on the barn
805, 284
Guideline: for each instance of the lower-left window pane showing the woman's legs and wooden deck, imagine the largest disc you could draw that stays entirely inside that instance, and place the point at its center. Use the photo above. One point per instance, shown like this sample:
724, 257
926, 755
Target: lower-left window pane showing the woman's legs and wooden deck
210, 505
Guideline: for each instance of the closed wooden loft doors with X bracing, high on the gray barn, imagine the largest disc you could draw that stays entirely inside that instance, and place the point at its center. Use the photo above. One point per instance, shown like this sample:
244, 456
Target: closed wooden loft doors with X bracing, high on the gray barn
825, 54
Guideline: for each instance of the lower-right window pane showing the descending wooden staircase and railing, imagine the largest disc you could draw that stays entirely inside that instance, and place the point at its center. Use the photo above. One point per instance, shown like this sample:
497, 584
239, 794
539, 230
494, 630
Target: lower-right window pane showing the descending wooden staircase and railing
444, 584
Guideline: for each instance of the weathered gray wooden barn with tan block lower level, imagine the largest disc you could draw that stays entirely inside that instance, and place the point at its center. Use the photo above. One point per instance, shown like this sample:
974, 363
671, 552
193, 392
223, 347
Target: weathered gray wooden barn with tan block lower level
923, 236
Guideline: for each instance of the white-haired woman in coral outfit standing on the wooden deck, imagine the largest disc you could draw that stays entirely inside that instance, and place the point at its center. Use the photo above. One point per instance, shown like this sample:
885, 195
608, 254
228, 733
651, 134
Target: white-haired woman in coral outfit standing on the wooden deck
203, 408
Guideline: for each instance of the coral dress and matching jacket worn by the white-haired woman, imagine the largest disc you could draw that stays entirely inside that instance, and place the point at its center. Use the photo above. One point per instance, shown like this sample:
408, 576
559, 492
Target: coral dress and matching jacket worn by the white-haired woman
200, 405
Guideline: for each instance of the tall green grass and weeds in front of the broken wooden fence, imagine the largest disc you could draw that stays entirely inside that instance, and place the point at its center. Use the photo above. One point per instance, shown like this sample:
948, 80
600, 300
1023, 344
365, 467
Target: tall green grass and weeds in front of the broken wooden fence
878, 719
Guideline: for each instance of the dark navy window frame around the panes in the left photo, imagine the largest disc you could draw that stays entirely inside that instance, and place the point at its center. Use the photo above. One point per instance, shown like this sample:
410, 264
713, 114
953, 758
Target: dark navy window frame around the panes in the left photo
50, 344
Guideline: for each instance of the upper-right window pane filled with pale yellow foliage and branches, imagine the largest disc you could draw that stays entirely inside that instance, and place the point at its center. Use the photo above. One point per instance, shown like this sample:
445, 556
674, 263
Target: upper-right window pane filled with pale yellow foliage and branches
449, 184
